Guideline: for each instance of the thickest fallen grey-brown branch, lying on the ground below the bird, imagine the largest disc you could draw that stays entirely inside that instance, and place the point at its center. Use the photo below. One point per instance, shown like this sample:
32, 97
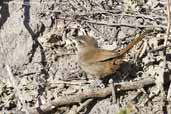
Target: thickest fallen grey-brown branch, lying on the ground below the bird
91, 93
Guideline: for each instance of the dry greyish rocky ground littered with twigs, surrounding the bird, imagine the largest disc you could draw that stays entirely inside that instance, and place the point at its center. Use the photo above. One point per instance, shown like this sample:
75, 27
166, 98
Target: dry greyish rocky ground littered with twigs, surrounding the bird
38, 64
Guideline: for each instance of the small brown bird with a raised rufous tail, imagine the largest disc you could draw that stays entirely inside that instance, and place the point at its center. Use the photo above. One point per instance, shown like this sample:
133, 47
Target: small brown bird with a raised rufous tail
100, 62
